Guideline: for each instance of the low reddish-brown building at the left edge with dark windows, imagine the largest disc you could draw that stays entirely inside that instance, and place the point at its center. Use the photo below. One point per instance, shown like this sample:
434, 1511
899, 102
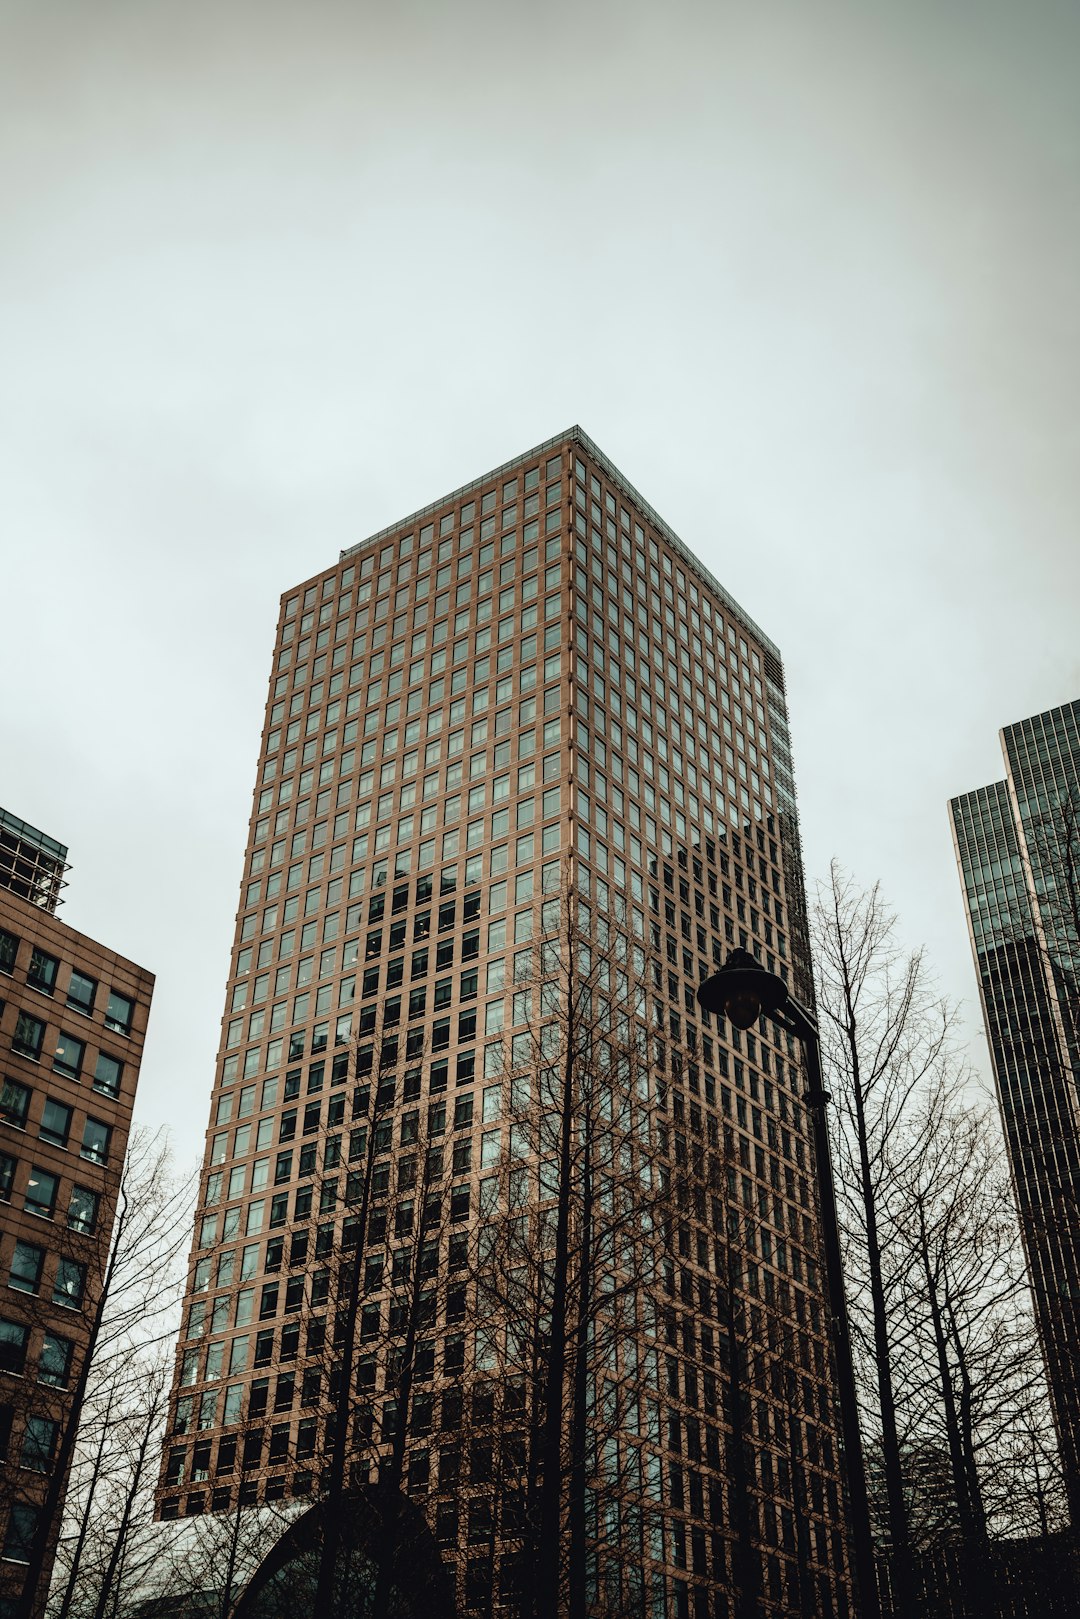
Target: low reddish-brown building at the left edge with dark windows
72, 1029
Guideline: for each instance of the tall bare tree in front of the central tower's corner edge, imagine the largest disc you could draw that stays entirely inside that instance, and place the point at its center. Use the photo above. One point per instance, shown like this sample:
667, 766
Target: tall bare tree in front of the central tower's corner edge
576, 1213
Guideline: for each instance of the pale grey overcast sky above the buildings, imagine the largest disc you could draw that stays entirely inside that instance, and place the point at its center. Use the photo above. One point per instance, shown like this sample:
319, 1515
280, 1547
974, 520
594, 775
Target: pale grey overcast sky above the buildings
273, 276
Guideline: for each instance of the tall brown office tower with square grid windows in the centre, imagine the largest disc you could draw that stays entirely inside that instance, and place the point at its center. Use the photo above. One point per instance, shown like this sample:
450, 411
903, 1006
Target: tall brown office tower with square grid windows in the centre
527, 689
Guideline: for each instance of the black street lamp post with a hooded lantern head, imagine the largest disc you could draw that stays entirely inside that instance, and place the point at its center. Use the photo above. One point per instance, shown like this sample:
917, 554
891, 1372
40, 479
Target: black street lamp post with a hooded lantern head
744, 992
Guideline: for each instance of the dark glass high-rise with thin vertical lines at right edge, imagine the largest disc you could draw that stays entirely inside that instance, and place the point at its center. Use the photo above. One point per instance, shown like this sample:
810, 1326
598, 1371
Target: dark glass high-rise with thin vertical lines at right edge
1019, 854
